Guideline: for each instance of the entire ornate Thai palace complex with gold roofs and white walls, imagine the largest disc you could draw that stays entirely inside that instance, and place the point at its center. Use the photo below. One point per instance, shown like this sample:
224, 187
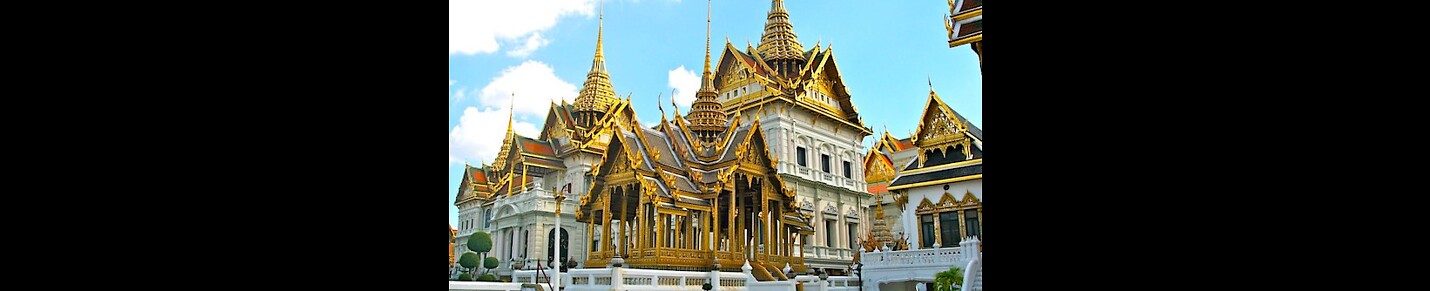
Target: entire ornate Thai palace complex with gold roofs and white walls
764, 178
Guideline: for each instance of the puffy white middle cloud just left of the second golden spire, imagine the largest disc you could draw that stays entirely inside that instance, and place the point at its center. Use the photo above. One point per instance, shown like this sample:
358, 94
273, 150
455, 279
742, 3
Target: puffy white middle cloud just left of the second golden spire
536, 87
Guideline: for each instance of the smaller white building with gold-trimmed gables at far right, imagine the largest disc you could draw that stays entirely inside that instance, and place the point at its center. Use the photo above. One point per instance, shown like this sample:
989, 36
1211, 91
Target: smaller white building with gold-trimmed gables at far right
935, 181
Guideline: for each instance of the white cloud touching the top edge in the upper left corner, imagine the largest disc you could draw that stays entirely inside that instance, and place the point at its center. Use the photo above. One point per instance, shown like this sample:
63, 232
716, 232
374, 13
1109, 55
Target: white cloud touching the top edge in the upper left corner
481, 27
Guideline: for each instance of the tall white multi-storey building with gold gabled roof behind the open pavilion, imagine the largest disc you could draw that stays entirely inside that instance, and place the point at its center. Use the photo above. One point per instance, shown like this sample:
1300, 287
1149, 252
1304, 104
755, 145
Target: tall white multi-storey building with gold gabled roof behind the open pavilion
813, 130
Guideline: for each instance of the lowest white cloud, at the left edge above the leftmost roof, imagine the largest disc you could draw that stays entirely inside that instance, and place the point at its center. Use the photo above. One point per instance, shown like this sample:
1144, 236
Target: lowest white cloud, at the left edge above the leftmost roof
480, 134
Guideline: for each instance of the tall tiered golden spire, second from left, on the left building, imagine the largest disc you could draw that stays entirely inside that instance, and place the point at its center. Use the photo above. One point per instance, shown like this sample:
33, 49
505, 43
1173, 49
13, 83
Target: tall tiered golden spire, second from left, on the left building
597, 94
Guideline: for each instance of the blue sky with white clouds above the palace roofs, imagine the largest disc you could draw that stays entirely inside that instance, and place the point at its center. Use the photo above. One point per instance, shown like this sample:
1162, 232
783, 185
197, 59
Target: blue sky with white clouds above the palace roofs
541, 51
